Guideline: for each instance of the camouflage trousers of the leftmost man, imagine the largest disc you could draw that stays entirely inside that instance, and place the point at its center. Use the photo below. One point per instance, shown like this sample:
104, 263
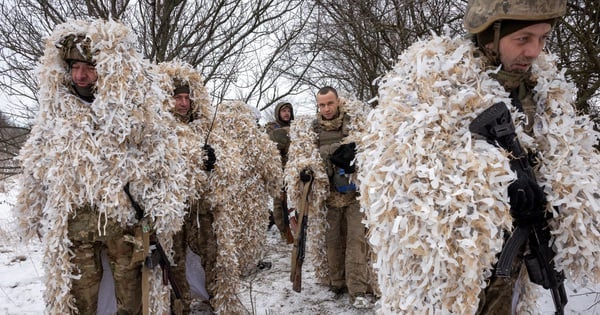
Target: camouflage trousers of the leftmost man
87, 247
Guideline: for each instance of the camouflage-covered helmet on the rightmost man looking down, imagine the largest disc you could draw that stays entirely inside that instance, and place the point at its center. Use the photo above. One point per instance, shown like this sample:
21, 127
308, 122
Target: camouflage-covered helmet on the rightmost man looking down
480, 14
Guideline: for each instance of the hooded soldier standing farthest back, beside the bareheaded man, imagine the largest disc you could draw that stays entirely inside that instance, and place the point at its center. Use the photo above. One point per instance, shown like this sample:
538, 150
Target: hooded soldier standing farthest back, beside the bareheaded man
278, 131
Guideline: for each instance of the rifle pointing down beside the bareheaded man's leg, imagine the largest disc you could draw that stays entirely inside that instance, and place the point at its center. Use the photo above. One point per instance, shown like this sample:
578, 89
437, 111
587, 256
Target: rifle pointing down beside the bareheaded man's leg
299, 250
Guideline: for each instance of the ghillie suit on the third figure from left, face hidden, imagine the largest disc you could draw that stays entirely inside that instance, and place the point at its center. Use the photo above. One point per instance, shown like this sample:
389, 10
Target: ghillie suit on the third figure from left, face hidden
248, 174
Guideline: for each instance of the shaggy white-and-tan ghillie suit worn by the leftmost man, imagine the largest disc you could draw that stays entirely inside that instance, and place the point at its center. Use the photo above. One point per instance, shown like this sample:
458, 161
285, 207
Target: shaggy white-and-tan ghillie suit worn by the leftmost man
81, 154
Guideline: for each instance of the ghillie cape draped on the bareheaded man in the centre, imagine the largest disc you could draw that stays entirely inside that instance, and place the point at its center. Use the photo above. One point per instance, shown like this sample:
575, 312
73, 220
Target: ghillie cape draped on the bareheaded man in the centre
304, 154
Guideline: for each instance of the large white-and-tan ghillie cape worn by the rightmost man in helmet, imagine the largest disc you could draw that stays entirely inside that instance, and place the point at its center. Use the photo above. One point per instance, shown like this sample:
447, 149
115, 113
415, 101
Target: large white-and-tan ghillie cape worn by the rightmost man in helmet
437, 199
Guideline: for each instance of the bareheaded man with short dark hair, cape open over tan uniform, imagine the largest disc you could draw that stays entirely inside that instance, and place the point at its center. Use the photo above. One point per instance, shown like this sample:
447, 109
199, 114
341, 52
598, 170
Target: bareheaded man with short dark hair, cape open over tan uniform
326, 149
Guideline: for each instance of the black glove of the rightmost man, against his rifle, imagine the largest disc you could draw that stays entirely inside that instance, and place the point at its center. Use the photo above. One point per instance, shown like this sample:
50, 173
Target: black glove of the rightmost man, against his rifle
527, 201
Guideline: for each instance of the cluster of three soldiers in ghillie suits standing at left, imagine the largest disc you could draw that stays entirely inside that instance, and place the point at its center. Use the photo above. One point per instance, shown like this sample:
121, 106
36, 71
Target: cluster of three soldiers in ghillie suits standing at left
128, 160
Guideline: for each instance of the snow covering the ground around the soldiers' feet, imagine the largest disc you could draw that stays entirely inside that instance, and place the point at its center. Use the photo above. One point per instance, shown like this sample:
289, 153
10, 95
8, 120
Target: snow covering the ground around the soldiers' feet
267, 291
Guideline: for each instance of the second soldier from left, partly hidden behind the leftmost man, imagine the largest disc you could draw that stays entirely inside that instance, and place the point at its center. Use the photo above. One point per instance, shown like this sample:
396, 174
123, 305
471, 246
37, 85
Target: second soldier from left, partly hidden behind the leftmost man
196, 241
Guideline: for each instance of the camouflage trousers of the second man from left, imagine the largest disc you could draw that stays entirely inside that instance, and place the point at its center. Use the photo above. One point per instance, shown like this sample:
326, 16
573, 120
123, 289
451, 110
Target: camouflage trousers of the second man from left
198, 234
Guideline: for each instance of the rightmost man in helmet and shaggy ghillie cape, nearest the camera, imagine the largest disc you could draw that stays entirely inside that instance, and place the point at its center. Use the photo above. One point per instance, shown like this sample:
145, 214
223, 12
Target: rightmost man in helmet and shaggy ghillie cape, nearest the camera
442, 200
